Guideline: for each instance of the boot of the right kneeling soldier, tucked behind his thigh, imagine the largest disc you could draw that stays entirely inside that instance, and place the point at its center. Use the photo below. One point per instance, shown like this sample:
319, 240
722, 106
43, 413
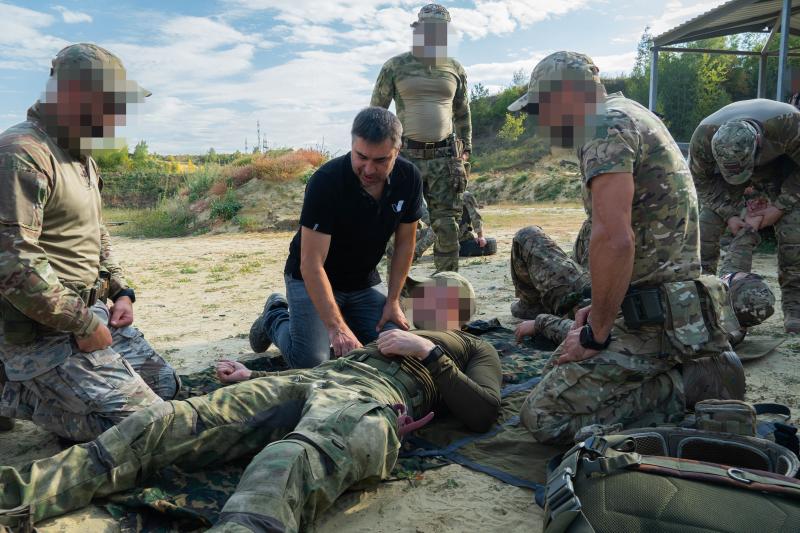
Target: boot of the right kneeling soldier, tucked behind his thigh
719, 377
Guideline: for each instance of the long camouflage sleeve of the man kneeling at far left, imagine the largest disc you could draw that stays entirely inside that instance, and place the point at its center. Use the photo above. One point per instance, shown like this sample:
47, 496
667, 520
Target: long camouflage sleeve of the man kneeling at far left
27, 280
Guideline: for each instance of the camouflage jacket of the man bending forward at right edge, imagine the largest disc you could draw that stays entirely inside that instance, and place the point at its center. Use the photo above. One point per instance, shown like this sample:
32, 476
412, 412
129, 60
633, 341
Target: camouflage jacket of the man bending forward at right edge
779, 125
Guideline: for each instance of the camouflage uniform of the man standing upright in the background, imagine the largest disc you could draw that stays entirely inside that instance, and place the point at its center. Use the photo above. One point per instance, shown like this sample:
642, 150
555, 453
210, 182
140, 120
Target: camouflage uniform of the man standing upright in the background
443, 173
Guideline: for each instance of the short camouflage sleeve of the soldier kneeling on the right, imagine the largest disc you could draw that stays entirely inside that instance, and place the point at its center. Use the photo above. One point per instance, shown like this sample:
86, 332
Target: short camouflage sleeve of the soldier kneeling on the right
615, 152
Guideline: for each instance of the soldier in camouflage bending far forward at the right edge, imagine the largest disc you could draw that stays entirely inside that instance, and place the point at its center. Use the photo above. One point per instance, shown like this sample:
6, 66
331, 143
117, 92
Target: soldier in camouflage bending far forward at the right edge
753, 145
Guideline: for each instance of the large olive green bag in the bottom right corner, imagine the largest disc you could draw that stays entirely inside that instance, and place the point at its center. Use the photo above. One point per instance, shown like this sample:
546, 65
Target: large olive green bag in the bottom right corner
674, 480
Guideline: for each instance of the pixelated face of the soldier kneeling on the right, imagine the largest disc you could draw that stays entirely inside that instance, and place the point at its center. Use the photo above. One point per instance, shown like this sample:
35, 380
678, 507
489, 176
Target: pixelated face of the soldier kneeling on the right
568, 111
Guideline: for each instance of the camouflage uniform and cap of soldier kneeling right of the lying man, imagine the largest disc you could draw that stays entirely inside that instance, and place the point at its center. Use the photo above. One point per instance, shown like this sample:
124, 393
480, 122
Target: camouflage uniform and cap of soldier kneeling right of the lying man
635, 379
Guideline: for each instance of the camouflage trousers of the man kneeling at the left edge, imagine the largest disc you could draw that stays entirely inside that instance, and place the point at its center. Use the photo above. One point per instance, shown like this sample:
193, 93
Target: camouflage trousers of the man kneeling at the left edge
88, 393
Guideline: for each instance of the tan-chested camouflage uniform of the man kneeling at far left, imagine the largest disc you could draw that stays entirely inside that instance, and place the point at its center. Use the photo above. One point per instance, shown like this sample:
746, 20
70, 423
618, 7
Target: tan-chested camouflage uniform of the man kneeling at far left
52, 248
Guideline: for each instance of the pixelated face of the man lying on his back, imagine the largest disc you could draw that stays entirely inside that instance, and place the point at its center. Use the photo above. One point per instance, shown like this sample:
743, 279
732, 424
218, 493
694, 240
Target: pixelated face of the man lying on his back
443, 305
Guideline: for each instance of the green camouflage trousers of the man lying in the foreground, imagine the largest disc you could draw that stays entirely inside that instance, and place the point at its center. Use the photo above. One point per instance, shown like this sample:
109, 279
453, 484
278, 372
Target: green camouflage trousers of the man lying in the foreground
315, 432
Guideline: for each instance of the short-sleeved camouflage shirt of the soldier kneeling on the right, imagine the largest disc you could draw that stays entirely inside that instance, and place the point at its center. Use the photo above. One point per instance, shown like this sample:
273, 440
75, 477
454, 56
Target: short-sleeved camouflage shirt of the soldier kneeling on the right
664, 213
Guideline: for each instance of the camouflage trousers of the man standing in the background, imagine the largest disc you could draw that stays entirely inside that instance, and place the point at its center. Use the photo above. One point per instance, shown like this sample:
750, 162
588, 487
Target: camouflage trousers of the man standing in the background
444, 179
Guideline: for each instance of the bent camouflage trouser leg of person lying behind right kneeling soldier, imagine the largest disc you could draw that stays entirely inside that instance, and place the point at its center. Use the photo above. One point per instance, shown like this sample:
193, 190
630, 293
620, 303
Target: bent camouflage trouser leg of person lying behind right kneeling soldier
544, 277
